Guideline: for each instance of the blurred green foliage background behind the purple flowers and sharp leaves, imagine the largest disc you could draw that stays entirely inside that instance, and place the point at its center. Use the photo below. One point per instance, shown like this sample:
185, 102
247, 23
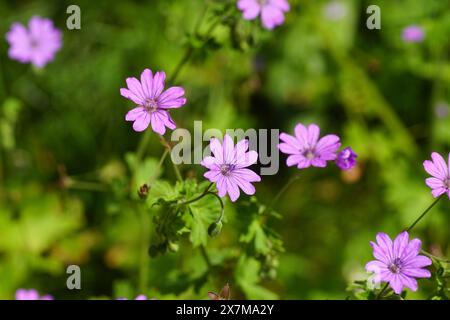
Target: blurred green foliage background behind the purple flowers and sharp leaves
65, 195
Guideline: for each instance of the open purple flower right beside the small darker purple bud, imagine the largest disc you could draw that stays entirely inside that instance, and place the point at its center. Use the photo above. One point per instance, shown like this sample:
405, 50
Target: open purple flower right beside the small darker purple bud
306, 149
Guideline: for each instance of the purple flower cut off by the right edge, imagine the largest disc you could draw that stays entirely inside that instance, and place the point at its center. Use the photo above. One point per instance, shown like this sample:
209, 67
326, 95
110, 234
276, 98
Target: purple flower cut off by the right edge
440, 171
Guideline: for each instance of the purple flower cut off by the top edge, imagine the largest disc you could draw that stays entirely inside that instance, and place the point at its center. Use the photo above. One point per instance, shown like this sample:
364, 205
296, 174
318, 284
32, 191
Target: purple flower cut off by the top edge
271, 11
